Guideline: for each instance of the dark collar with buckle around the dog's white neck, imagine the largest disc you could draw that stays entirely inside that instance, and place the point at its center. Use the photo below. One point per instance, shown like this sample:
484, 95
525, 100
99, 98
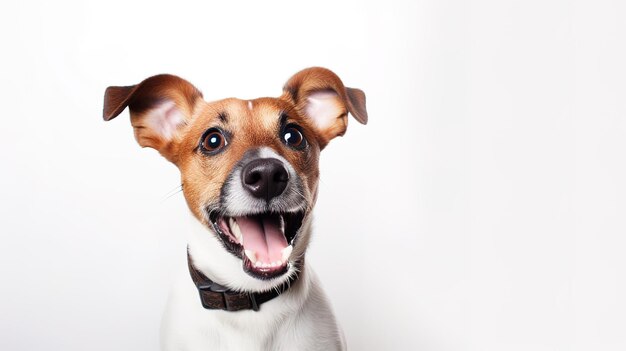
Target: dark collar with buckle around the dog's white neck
217, 297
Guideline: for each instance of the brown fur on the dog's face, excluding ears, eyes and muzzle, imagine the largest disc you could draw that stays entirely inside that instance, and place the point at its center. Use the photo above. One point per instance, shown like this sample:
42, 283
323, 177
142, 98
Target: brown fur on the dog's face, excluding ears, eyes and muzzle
203, 176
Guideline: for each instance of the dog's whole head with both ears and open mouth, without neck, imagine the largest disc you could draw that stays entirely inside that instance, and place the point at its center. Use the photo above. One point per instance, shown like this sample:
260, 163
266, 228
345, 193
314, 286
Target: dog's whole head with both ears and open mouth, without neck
249, 168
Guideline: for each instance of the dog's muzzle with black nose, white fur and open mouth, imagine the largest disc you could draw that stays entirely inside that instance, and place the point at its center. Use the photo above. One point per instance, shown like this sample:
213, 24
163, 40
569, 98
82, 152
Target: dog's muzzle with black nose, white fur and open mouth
262, 209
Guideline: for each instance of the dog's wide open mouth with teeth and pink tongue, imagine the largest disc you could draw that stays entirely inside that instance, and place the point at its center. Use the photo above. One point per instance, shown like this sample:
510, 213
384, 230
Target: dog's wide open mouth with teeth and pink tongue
263, 241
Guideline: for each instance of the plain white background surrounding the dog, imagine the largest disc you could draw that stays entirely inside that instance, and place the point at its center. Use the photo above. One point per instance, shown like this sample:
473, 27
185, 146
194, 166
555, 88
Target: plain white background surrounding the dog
481, 209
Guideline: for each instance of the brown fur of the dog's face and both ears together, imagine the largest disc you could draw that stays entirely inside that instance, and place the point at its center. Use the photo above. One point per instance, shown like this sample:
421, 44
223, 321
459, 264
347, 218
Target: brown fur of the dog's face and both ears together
246, 128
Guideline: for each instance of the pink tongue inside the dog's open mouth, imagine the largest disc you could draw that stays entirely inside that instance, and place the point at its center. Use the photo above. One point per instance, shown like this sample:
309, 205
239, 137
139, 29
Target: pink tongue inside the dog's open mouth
264, 236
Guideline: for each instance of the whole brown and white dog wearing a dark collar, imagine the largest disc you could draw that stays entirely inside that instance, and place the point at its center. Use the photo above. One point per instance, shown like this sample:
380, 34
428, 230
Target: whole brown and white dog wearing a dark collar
250, 173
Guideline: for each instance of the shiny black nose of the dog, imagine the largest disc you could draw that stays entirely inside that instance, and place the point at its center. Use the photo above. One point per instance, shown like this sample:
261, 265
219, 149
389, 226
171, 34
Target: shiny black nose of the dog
265, 178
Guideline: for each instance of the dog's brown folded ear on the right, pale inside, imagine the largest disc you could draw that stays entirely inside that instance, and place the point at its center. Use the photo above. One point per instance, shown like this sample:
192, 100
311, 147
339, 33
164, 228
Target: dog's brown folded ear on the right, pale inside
321, 96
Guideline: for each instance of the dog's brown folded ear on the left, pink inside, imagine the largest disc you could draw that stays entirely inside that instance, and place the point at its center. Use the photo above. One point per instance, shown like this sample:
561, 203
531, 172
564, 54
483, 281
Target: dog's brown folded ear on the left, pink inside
160, 107
